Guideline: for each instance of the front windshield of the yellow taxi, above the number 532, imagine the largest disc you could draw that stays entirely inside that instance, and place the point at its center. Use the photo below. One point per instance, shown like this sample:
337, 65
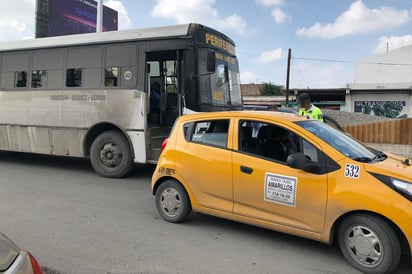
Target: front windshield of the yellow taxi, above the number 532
341, 141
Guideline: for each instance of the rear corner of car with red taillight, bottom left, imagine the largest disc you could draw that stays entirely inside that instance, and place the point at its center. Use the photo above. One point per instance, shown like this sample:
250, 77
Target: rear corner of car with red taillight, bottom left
14, 260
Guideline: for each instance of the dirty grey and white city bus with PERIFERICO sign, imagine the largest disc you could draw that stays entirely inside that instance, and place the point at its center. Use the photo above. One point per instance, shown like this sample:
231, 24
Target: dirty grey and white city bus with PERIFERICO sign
112, 97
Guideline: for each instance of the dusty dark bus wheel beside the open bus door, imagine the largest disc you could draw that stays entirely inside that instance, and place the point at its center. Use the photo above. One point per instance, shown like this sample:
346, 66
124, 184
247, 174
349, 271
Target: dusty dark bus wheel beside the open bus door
110, 155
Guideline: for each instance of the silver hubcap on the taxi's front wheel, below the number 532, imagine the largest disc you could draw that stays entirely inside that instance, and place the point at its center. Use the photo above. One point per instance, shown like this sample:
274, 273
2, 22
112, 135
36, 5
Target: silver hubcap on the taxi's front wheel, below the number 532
364, 246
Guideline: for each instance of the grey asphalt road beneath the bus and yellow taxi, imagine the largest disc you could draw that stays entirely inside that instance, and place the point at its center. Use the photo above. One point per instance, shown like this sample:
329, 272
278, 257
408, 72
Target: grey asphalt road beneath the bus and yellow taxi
74, 221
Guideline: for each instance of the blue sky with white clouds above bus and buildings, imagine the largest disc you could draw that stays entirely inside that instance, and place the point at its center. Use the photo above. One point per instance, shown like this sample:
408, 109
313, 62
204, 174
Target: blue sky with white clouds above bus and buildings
326, 37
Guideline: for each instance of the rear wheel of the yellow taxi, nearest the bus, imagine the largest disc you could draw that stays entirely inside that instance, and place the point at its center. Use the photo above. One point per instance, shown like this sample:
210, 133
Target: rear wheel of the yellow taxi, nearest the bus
172, 202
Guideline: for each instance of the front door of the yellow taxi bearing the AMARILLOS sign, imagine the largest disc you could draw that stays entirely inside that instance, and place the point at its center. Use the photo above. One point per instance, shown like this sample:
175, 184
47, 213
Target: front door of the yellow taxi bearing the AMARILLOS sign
269, 190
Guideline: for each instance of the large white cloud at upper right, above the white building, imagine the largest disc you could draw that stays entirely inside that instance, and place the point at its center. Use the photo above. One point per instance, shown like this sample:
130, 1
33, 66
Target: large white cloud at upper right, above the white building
357, 19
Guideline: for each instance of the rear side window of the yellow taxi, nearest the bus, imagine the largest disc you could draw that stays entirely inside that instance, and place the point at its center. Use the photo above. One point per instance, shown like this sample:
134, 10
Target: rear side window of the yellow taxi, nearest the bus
212, 132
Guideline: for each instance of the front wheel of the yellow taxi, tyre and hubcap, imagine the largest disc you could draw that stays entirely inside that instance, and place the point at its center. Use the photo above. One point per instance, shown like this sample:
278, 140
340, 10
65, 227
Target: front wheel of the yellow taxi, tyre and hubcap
369, 244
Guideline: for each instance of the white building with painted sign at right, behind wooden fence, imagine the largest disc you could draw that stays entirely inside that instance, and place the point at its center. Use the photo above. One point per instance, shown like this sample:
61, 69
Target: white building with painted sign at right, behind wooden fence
383, 83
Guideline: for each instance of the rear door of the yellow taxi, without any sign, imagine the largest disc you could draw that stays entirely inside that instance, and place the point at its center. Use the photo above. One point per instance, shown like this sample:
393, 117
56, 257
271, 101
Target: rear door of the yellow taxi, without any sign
204, 162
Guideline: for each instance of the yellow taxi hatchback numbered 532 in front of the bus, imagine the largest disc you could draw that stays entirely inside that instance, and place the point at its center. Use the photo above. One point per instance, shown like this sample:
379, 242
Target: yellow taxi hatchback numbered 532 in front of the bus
287, 173
